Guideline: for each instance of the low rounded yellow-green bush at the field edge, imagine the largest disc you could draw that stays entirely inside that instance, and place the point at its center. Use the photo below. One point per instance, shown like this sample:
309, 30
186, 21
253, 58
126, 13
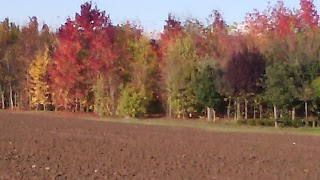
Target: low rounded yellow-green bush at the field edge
132, 103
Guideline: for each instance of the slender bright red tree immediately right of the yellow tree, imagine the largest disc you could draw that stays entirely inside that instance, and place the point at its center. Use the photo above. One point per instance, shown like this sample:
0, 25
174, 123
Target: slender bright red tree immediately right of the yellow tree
64, 67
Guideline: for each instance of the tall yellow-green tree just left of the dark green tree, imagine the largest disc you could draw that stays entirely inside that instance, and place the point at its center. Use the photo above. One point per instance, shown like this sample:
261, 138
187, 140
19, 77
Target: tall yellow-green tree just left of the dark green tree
179, 68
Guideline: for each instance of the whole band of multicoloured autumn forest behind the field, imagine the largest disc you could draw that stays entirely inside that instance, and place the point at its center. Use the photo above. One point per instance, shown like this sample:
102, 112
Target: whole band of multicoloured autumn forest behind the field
266, 67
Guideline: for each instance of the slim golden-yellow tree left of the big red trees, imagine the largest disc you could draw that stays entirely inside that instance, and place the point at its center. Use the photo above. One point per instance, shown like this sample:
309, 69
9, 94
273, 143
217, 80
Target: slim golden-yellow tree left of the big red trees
37, 72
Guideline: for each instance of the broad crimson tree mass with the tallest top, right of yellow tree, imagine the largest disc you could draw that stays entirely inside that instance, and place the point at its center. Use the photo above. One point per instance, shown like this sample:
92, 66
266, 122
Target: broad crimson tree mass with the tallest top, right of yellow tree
83, 50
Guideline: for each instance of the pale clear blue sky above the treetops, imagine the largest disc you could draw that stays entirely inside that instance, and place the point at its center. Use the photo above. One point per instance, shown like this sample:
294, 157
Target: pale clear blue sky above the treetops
151, 13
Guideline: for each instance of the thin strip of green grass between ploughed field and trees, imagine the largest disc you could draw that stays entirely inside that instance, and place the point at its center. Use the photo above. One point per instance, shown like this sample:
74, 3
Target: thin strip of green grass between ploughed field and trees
200, 124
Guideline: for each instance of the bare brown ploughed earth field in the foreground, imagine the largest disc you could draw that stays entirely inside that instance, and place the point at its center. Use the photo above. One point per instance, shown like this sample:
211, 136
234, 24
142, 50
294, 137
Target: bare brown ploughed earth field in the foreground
46, 146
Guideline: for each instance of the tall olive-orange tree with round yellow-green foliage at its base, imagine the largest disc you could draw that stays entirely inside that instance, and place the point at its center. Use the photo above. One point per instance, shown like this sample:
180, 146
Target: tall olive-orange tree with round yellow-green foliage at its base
142, 64
